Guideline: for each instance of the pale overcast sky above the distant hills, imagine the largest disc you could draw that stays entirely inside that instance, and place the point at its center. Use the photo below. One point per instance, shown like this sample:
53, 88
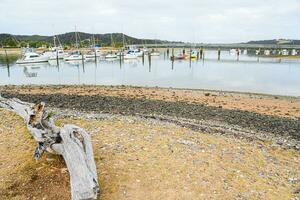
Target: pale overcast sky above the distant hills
184, 20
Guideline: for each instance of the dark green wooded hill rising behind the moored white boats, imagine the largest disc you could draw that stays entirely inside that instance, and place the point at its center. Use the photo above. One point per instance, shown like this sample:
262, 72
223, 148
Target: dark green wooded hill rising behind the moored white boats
68, 39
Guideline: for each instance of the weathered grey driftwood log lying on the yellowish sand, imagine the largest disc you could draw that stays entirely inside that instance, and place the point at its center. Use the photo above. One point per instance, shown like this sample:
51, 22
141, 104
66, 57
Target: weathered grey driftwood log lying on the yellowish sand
70, 141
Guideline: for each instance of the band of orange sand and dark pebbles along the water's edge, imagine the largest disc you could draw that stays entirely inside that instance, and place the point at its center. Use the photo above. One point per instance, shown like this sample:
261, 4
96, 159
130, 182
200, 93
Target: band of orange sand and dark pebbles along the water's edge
270, 117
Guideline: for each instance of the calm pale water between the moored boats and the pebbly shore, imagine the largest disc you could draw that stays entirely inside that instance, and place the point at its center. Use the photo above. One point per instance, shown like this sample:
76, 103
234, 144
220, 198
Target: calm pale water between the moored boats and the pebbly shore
266, 76
